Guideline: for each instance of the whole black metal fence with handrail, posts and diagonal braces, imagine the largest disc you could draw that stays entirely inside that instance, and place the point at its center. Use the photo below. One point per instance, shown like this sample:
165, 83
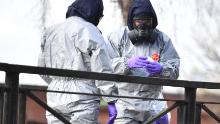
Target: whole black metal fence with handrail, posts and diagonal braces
13, 95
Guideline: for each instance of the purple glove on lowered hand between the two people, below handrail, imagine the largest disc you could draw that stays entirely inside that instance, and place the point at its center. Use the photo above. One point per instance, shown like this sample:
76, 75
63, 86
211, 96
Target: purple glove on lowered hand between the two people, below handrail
112, 113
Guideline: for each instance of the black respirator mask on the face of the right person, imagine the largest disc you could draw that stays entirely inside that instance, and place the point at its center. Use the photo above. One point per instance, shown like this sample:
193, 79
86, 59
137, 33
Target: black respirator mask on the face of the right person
143, 30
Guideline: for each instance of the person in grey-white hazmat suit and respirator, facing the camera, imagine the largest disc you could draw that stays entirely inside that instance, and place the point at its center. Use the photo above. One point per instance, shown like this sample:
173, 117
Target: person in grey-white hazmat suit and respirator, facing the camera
141, 50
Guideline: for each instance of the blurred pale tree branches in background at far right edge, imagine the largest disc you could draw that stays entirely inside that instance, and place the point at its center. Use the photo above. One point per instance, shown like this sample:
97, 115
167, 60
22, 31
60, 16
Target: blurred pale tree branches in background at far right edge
206, 34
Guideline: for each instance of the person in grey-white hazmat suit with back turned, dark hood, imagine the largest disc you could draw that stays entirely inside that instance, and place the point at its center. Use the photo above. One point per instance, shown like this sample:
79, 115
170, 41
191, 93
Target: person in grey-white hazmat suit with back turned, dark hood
77, 44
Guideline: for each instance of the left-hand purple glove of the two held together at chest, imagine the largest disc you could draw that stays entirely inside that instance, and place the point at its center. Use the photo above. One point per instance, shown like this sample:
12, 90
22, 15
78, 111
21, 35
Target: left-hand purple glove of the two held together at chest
137, 62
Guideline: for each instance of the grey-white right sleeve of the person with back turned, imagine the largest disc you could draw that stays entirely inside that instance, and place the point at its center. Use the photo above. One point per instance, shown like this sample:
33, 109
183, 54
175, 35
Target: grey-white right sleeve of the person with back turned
100, 62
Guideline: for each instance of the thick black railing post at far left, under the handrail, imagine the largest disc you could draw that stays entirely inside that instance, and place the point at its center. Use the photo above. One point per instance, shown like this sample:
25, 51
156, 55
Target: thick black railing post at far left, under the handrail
11, 98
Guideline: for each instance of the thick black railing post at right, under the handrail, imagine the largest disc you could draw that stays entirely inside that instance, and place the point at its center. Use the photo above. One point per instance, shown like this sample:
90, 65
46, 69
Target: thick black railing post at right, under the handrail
190, 97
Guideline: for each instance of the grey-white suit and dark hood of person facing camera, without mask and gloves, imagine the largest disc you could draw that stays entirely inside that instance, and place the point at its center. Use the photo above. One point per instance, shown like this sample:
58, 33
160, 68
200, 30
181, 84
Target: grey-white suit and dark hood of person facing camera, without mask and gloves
136, 111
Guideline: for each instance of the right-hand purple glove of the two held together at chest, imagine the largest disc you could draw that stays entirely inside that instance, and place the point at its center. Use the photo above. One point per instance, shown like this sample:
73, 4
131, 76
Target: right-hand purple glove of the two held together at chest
153, 67
